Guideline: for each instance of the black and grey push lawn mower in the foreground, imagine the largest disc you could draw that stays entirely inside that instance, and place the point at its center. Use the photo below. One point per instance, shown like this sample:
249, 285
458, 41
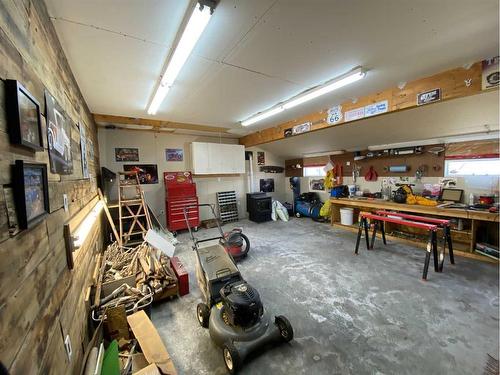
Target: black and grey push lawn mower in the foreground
231, 308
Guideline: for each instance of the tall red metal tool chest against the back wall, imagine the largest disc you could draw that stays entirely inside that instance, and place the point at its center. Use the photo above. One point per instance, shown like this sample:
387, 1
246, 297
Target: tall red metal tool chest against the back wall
180, 192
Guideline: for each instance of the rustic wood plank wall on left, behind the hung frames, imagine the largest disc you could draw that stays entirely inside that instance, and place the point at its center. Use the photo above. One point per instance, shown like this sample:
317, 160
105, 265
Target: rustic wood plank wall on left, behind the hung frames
41, 301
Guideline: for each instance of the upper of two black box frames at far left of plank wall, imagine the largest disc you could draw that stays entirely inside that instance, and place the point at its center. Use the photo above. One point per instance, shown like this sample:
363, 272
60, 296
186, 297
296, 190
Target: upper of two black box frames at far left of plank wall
17, 103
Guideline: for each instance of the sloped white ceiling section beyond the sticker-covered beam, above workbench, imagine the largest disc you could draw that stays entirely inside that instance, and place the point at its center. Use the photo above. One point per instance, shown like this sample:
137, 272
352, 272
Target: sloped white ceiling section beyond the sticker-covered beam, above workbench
455, 117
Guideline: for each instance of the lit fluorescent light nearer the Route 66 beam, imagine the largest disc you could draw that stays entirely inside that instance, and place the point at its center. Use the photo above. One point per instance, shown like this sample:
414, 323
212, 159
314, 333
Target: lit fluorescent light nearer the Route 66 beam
336, 83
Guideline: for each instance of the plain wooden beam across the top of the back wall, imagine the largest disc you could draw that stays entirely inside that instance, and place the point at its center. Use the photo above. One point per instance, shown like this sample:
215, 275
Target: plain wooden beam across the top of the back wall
102, 120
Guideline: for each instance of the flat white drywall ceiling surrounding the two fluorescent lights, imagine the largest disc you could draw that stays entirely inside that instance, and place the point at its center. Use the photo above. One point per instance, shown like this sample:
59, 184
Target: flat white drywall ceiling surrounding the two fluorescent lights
259, 52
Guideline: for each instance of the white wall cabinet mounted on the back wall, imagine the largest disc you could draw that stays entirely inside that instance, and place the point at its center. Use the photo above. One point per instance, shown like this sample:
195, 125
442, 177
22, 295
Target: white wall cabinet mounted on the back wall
217, 158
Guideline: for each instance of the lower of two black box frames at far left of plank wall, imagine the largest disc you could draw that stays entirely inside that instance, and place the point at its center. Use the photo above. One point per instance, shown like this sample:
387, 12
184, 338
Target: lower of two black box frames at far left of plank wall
31, 195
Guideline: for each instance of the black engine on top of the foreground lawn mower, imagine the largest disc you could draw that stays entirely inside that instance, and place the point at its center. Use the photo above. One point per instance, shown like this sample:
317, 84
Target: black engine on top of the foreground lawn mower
241, 304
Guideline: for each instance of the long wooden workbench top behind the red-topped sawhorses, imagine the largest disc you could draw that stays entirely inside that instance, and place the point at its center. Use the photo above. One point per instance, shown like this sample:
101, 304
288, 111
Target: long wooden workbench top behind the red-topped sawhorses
429, 210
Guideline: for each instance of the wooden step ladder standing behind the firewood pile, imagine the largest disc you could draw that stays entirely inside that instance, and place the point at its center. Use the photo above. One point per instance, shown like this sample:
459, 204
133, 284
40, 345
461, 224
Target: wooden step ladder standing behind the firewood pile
132, 210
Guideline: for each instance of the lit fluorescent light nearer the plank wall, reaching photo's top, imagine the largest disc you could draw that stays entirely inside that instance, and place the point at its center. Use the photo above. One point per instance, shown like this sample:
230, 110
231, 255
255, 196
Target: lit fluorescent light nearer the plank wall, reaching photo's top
197, 22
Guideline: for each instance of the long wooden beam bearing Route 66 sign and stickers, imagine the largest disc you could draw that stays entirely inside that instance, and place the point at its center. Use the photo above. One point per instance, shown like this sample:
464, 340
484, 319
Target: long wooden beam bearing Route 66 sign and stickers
451, 82
